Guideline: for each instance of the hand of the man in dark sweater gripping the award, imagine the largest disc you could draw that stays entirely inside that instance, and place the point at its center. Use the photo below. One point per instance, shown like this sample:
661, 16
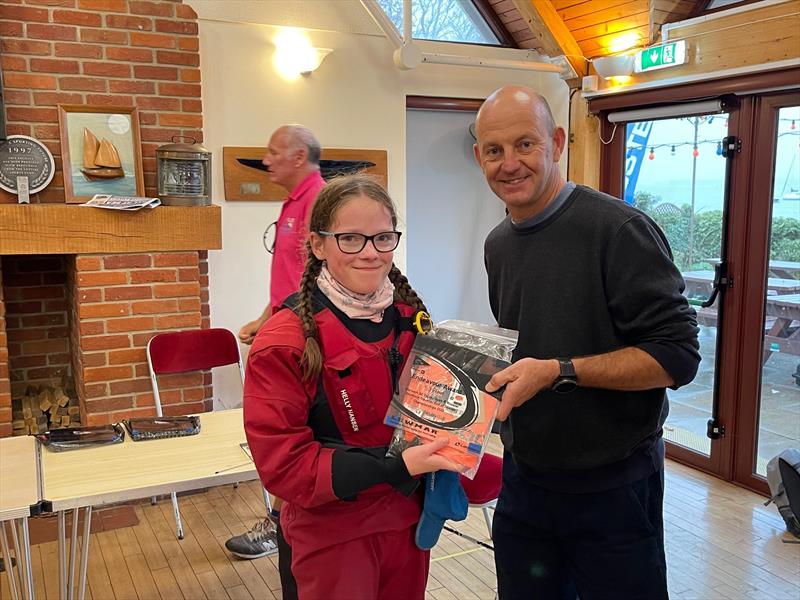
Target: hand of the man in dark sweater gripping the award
523, 380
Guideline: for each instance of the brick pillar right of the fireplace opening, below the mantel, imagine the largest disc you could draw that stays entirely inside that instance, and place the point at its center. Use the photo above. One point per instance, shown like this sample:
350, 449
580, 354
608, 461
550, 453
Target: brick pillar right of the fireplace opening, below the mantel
121, 301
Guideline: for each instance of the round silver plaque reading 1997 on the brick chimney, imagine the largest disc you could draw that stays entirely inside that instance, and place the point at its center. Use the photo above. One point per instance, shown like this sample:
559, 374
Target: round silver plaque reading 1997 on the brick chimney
26, 166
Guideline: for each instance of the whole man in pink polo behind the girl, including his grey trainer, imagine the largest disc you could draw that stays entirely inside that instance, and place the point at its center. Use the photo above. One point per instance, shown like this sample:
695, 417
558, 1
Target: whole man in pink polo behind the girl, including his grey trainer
293, 161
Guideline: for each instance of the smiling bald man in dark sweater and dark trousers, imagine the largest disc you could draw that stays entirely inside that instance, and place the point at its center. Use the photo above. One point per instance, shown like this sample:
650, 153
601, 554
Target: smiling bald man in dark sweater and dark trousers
590, 285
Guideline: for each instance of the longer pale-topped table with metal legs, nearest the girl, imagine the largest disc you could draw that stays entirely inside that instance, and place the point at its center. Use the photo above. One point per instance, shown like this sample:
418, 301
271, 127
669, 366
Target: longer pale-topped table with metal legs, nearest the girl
95, 476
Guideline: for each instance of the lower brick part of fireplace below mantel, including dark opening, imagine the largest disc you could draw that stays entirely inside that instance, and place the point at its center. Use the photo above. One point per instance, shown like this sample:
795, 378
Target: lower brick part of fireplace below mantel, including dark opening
90, 317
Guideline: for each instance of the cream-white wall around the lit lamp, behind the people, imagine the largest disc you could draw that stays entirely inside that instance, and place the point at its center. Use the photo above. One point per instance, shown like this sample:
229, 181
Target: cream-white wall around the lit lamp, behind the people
355, 99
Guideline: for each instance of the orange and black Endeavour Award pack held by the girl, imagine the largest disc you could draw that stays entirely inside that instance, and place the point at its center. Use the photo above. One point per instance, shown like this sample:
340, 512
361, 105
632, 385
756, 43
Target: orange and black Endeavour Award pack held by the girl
442, 392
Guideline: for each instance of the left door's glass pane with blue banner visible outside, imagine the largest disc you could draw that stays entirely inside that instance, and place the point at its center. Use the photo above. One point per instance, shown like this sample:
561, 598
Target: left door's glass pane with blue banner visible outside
675, 172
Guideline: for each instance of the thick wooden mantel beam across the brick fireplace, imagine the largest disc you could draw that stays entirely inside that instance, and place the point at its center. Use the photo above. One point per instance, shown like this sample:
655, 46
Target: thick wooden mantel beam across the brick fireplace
76, 229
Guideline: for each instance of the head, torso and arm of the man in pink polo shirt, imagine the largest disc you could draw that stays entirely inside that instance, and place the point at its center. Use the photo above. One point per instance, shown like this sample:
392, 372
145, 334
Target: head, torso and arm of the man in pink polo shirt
293, 161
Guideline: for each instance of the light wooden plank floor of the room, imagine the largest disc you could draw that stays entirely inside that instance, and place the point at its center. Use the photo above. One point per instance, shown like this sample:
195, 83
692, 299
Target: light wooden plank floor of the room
721, 543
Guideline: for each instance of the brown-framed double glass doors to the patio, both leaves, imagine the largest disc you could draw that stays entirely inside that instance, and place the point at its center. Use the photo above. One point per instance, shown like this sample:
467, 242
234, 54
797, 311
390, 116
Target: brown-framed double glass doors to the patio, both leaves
725, 189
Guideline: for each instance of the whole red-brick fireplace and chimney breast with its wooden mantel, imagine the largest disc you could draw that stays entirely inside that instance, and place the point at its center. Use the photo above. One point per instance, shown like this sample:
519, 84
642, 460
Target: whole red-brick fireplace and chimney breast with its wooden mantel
81, 295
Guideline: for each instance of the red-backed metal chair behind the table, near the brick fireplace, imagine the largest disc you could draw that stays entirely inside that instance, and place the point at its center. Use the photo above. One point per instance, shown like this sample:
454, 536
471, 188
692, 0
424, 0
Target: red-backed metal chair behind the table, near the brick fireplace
185, 351
